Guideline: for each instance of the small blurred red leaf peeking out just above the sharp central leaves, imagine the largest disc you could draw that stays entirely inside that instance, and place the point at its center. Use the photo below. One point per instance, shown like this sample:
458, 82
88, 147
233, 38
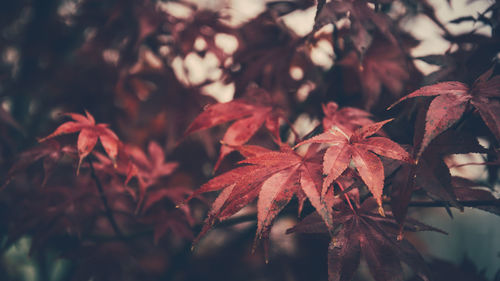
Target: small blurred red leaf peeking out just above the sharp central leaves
347, 118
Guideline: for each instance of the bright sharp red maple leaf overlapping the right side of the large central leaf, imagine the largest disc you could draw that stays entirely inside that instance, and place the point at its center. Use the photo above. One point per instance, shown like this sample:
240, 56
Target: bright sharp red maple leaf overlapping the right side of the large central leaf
359, 147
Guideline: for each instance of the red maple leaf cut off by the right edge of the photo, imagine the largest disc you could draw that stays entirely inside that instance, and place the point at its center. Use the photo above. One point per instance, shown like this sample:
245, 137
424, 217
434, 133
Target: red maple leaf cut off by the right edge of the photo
452, 100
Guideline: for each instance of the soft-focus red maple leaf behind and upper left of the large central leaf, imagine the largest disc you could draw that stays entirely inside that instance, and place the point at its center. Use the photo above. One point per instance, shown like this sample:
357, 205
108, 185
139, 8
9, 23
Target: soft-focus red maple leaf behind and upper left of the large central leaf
250, 114
